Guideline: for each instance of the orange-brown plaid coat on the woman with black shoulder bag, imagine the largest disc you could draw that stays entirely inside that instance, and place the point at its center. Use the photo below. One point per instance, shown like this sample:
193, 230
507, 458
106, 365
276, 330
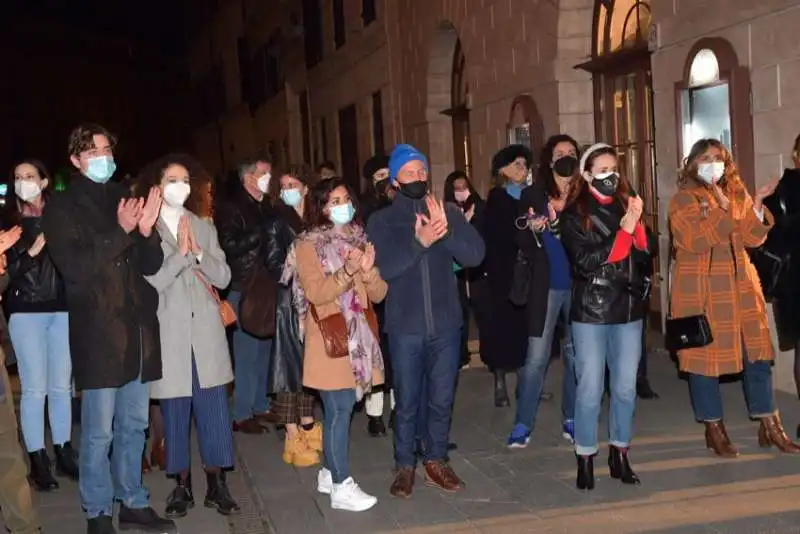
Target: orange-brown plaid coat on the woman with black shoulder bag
712, 274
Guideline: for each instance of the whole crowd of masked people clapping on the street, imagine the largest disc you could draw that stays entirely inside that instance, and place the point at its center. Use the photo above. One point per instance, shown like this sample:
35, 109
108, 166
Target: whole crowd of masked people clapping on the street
149, 299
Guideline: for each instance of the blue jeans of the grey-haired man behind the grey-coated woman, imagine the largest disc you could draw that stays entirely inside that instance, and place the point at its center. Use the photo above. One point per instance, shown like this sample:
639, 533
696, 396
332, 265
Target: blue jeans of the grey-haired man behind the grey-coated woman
251, 370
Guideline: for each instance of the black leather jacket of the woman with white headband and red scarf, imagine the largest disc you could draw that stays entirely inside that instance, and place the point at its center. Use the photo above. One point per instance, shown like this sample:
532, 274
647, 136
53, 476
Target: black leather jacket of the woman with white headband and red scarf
603, 293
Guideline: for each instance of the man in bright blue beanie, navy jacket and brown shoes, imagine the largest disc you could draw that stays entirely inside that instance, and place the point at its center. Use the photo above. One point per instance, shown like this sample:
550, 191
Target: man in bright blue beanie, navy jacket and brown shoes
417, 239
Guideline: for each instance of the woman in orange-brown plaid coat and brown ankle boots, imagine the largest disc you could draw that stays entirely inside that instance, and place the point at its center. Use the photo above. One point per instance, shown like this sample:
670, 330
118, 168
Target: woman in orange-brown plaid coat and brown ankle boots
713, 220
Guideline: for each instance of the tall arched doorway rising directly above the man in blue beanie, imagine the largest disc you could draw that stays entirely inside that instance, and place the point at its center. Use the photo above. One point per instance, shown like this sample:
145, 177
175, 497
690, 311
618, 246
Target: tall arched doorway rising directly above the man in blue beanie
448, 106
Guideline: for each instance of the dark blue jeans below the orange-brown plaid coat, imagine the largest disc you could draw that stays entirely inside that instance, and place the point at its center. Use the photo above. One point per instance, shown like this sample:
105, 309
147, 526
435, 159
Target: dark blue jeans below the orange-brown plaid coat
757, 383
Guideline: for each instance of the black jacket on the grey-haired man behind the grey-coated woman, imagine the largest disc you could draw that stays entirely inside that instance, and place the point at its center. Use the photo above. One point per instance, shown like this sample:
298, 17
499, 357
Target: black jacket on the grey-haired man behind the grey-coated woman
240, 224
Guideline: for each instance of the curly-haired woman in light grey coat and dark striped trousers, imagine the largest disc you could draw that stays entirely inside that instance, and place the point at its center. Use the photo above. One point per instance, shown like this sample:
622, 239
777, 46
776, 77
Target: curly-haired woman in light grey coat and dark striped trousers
194, 349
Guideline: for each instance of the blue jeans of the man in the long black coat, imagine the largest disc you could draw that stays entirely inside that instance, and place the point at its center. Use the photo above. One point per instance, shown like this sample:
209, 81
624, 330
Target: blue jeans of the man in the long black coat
118, 416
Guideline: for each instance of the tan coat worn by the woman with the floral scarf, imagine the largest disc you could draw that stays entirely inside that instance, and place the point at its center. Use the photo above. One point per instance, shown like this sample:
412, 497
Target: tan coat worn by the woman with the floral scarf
319, 371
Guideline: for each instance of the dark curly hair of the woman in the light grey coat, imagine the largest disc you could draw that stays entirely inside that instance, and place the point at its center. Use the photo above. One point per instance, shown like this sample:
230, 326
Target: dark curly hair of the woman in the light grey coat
152, 174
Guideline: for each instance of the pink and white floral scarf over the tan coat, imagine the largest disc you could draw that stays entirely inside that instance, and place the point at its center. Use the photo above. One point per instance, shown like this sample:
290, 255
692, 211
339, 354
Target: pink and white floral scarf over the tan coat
331, 247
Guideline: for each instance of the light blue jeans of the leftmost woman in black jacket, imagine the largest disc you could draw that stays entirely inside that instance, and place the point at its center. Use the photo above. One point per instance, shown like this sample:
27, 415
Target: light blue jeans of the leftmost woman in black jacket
41, 342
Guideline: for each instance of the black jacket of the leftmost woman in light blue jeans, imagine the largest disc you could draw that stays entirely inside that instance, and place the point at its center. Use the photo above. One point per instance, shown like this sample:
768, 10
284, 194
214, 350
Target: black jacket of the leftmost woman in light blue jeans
35, 284
